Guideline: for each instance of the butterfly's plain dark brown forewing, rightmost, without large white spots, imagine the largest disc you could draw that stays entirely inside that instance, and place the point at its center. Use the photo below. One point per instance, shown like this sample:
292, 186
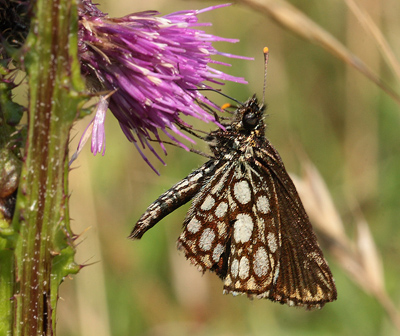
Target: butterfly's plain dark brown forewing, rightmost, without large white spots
304, 276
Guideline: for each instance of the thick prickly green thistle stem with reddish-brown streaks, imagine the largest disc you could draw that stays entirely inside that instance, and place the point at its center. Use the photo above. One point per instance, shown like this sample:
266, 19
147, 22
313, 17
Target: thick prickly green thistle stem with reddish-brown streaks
44, 248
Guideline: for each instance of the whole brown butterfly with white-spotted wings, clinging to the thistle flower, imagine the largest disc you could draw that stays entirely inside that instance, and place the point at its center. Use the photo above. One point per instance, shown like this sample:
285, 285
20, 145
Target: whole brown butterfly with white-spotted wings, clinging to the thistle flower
246, 222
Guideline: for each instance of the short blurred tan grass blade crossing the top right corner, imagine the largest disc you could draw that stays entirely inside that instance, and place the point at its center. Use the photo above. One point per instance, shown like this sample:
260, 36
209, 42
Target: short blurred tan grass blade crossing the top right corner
369, 25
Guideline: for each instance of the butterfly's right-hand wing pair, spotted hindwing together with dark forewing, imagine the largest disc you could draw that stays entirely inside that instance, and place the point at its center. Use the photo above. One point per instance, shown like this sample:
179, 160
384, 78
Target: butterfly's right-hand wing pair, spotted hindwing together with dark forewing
274, 253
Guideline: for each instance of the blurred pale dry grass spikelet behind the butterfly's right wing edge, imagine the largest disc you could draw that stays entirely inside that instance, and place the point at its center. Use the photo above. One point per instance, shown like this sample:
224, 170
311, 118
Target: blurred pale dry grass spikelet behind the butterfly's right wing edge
360, 259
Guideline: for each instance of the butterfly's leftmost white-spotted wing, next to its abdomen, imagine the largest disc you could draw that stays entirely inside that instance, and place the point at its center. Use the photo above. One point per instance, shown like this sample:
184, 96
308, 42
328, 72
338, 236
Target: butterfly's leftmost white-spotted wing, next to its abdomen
206, 229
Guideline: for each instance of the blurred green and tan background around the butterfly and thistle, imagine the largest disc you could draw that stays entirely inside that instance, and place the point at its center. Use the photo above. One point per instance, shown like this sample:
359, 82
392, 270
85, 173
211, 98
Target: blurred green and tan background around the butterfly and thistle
347, 127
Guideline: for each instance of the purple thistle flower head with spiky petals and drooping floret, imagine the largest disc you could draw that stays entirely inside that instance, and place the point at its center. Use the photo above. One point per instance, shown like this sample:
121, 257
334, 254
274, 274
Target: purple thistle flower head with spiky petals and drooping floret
152, 66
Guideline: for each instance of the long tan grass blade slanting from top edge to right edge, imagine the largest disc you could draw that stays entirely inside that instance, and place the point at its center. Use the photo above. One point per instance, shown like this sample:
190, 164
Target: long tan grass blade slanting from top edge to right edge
294, 20
